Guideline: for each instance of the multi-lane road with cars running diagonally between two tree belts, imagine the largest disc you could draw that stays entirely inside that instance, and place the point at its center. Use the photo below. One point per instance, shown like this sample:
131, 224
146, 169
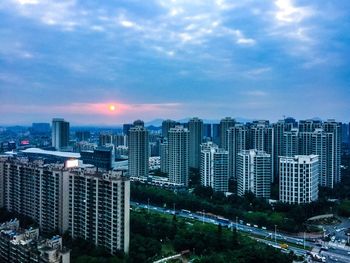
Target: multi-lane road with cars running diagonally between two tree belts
270, 237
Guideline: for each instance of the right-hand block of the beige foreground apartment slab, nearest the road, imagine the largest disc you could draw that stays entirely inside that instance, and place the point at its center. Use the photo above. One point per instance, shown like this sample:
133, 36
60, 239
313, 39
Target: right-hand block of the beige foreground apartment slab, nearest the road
99, 209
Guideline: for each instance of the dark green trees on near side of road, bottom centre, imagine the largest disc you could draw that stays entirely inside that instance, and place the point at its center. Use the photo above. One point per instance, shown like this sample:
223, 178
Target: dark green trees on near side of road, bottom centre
210, 243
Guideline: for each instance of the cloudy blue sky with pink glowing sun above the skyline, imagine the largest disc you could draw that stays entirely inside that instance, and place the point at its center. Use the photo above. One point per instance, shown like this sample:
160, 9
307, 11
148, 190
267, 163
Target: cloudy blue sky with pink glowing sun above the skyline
109, 62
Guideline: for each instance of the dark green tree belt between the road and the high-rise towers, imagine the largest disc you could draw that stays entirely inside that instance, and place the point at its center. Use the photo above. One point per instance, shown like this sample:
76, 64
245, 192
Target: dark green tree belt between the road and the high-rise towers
289, 218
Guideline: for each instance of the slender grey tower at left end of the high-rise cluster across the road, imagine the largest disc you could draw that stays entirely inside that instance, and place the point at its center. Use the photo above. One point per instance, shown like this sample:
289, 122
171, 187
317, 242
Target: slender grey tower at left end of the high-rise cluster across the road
138, 151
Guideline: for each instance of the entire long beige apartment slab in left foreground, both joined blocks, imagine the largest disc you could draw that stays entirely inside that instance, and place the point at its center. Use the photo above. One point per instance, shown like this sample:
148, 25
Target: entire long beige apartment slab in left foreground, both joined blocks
64, 197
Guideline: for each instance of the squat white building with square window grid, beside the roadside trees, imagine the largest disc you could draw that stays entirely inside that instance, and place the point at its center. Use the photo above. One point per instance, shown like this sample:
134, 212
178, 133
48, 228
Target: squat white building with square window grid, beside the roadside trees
299, 179
